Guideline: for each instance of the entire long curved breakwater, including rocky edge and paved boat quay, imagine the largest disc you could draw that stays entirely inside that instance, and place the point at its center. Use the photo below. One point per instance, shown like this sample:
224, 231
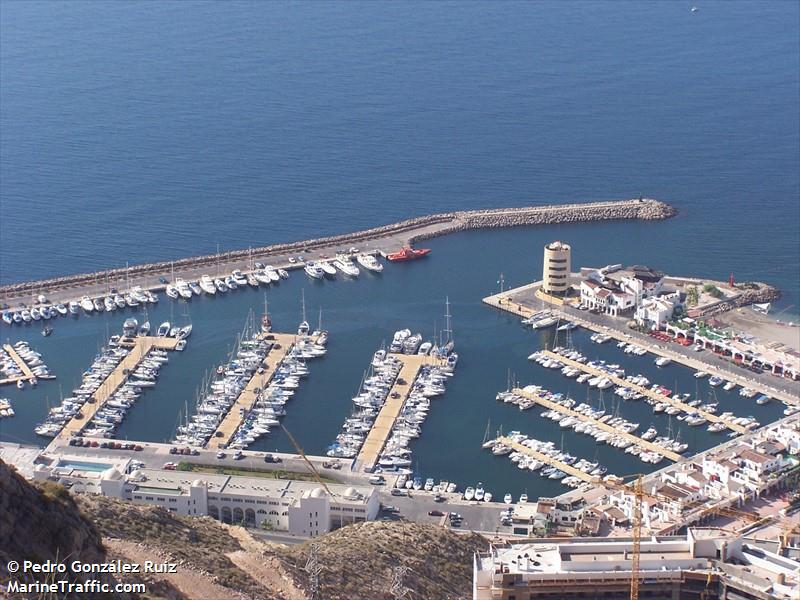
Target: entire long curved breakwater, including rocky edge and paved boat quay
383, 239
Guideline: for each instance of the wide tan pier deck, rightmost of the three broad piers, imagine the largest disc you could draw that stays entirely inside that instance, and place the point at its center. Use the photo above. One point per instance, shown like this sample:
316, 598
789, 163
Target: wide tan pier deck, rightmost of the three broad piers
382, 427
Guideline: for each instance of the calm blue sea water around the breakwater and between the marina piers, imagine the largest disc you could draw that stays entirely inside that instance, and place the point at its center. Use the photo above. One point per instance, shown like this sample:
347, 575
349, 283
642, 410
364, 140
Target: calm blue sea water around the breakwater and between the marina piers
132, 132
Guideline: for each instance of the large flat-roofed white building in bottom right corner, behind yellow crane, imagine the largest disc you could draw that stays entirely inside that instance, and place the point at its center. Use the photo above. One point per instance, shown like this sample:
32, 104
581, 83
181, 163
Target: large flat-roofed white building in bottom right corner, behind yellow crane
670, 567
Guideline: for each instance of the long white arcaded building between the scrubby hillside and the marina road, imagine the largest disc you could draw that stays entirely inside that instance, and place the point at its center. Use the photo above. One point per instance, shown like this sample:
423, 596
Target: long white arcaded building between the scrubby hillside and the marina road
299, 507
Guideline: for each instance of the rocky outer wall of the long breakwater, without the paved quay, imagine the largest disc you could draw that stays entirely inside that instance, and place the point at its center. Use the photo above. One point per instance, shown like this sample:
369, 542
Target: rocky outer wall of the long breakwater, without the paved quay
418, 228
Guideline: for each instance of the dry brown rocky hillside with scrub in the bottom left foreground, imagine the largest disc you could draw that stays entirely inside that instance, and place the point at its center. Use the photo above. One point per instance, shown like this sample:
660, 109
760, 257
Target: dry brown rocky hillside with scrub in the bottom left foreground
215, 561
